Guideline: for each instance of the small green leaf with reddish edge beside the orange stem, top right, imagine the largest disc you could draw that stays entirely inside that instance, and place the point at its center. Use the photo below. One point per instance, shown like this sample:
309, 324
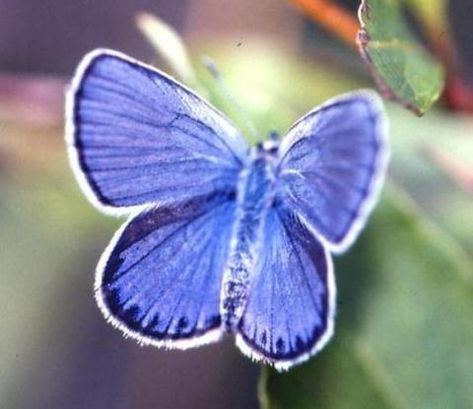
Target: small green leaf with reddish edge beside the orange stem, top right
404, 70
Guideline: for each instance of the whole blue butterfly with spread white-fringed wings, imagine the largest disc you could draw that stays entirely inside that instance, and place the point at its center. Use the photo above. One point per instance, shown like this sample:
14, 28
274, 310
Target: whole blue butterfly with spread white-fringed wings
221, 238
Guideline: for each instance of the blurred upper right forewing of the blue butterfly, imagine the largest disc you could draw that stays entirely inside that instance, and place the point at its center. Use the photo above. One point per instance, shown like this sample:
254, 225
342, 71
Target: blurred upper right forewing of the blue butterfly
332, 165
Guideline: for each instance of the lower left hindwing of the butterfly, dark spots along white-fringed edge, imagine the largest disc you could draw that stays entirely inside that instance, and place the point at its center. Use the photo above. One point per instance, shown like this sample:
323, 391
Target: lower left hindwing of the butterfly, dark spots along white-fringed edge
160, 279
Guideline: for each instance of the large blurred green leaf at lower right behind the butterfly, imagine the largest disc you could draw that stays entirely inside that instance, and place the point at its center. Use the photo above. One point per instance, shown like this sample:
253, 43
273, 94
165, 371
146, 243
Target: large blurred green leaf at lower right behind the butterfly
403, 336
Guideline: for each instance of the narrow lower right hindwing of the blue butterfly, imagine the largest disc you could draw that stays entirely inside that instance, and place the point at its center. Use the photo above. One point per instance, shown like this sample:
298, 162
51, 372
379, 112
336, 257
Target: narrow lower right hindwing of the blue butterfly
290, 309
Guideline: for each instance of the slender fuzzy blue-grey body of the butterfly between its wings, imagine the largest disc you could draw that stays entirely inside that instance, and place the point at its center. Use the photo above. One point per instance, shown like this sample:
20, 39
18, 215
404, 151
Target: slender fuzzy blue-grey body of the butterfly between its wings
255, 195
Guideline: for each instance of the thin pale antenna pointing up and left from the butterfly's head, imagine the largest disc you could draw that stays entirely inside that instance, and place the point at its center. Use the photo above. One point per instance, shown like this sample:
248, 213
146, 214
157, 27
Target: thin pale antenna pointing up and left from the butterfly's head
233, 107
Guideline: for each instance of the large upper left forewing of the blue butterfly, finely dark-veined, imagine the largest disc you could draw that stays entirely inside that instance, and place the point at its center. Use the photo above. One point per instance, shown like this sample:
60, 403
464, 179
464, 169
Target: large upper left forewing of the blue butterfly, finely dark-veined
136, 136
